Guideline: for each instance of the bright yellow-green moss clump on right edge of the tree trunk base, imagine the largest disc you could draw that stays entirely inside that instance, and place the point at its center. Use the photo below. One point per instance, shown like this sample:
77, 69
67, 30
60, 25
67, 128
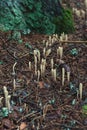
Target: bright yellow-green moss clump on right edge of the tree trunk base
65, 22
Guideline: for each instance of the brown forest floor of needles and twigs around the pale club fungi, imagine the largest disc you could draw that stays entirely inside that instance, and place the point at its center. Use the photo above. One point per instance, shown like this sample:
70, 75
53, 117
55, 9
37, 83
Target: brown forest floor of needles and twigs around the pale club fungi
43, 103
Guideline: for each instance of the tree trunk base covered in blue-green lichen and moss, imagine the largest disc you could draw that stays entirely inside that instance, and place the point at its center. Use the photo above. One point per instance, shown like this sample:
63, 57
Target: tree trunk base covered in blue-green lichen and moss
40, 16
